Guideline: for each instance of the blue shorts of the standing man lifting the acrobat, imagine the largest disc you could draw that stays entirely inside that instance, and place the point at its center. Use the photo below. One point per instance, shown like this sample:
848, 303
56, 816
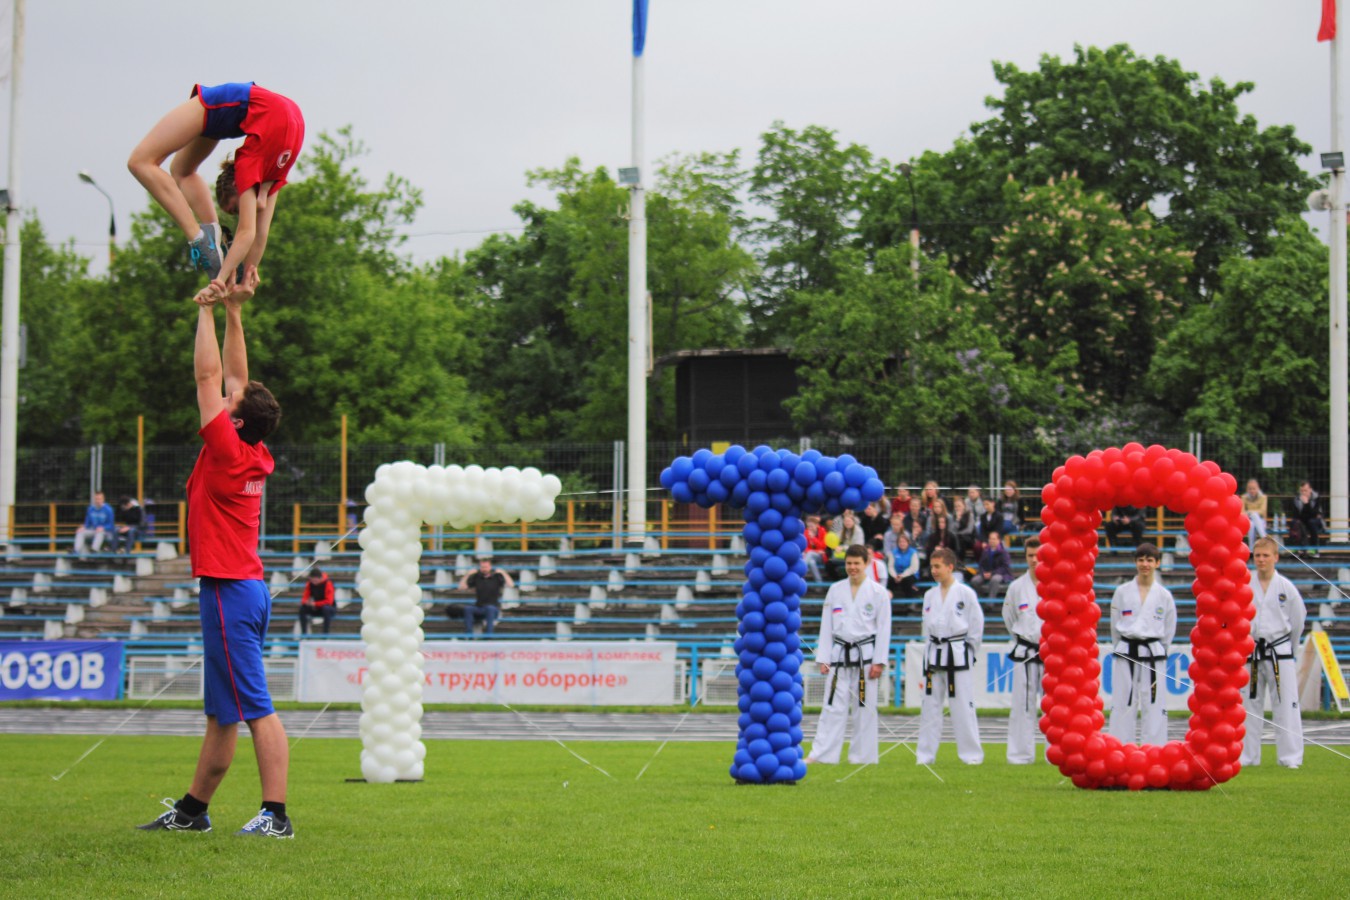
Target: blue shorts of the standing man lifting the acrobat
234, 625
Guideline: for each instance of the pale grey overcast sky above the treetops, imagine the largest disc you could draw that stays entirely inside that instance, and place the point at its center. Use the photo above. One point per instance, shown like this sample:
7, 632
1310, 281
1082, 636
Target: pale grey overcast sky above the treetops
464, 96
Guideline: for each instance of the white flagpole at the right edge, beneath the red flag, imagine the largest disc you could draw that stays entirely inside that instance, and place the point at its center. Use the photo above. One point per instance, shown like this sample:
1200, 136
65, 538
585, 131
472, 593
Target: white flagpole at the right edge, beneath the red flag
1340, 488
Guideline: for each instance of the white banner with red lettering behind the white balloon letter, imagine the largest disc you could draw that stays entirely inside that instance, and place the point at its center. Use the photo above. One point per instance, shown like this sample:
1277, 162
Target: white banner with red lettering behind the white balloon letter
542, 673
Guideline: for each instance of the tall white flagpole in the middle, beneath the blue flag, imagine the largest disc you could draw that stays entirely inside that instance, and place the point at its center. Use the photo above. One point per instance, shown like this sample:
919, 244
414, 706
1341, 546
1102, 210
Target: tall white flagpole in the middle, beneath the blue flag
638, 327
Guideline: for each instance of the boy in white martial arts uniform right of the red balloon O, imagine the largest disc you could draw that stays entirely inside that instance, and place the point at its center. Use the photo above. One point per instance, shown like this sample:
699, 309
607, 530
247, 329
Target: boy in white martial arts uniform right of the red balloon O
1276, 629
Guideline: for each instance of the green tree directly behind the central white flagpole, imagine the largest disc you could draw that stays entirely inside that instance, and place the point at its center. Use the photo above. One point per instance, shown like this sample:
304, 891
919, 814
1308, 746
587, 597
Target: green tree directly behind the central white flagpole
554, 303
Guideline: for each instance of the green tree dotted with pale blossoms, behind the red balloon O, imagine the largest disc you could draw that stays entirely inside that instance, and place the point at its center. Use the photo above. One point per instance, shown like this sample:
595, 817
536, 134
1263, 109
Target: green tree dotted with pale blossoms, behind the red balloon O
1074, 273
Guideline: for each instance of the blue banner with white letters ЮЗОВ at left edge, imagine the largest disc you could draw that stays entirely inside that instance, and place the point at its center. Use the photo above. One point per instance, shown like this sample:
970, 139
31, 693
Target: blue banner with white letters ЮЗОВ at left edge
60, 670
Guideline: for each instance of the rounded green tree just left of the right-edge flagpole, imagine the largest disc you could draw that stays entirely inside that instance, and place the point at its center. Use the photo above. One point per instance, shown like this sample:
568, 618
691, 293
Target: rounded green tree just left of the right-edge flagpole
1255, 360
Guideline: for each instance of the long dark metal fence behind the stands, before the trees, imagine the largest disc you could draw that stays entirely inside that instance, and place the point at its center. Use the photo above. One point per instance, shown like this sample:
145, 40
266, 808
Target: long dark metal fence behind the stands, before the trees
313, 473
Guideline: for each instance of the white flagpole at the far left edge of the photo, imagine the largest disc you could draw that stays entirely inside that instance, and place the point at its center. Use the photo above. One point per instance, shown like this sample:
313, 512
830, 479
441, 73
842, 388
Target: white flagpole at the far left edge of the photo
10, 315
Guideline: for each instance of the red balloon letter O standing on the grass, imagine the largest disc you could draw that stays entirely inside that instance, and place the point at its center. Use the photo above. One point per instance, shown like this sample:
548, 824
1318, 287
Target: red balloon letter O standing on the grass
1217, 528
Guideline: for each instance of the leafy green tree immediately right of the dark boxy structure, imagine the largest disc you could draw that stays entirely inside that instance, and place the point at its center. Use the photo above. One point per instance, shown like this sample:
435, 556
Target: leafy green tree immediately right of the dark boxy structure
888, 356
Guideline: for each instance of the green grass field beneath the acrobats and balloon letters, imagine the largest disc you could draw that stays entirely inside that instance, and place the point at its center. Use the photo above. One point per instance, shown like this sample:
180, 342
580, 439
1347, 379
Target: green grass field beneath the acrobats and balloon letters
529, 820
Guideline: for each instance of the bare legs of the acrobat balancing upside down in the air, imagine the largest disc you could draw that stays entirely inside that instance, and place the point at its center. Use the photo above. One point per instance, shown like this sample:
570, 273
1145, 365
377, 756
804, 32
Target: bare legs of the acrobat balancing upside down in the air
183, 194
